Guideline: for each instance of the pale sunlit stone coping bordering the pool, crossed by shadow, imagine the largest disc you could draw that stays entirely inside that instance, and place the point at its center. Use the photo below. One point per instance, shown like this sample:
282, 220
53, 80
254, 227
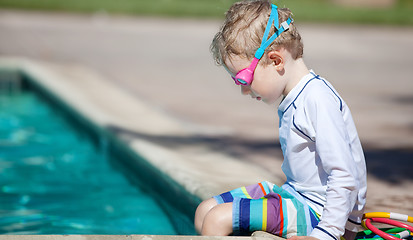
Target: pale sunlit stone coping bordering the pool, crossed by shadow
199, 170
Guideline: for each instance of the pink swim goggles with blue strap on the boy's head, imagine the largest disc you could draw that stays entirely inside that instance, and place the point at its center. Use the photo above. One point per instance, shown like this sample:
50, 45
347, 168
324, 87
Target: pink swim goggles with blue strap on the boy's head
246, 75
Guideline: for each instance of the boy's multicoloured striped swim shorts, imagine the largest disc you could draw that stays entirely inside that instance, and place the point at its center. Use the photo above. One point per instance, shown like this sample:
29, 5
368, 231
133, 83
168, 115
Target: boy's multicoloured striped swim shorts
267, 207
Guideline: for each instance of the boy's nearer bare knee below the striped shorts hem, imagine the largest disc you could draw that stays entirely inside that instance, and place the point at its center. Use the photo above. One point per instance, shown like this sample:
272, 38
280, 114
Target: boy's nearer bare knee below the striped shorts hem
218, 221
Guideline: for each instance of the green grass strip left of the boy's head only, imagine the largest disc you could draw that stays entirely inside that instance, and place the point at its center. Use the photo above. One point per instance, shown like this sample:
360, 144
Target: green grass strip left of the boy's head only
176, 8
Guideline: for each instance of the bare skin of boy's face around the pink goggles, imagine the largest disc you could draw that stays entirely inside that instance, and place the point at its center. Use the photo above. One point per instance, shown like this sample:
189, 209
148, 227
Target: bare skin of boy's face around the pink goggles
266, 85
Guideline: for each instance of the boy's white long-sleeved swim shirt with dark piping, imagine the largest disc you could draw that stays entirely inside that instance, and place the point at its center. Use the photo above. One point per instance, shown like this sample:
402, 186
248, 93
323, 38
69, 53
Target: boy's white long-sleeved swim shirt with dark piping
323, 157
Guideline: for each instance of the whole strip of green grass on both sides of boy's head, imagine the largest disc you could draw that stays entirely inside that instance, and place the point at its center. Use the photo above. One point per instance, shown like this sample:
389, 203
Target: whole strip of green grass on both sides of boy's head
304, 10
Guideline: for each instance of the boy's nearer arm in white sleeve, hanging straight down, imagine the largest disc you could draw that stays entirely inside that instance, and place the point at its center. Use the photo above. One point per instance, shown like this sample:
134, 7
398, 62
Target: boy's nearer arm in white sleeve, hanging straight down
333, 147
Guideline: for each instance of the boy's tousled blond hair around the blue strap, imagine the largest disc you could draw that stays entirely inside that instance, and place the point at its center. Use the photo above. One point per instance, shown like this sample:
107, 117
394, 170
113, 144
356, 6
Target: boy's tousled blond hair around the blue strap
243, 29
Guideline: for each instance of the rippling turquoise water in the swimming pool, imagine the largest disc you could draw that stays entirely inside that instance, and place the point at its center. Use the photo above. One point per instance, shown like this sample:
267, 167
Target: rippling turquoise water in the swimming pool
54, 180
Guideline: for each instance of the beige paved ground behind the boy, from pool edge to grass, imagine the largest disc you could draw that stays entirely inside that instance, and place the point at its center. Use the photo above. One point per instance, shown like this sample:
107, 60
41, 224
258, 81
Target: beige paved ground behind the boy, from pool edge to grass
190, 109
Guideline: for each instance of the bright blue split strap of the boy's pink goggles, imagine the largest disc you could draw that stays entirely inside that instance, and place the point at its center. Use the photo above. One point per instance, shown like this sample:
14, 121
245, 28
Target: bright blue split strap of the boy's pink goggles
267, 41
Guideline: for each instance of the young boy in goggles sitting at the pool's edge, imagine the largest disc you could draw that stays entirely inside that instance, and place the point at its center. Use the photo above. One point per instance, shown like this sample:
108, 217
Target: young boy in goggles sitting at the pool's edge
325, 191
